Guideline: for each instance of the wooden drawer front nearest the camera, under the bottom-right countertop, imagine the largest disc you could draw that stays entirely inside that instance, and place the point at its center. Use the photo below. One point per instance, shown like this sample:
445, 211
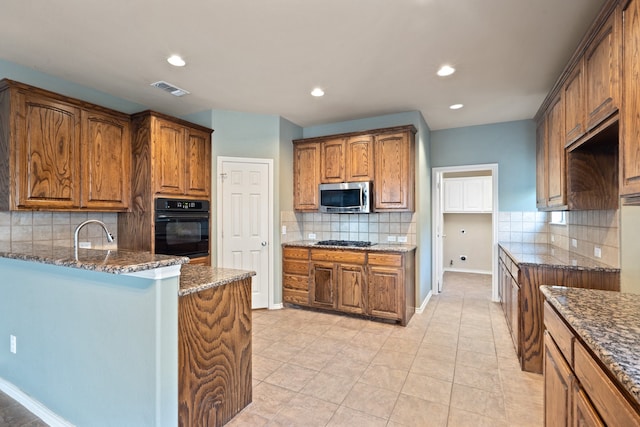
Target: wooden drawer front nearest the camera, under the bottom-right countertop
610, 403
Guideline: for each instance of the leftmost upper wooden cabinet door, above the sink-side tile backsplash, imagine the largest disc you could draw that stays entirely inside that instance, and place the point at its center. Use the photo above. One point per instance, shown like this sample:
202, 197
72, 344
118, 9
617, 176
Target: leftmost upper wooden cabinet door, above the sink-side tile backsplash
48, 154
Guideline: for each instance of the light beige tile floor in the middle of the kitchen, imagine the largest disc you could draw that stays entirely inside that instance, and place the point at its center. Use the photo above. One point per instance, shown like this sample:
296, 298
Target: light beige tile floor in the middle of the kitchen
453, 365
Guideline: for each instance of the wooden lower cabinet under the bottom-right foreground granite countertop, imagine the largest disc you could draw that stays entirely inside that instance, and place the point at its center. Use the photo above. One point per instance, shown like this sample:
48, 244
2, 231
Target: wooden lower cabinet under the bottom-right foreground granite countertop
577, 390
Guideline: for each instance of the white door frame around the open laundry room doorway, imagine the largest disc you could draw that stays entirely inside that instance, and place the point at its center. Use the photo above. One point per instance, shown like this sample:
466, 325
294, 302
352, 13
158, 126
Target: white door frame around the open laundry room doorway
436, 206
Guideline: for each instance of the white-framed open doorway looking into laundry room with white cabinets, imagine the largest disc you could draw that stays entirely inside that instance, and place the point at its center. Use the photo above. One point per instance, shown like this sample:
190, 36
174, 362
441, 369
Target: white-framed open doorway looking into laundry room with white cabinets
461, 179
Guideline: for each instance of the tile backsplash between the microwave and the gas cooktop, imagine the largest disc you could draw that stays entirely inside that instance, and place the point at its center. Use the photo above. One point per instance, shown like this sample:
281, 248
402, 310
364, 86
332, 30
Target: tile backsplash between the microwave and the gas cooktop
374, 227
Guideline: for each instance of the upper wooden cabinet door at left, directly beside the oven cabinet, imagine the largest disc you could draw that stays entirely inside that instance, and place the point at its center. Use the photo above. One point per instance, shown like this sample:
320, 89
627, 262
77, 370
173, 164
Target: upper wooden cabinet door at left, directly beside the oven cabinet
106, 160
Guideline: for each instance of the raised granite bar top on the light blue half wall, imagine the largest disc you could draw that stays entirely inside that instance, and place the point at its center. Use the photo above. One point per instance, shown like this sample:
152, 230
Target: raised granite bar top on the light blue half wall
106, 261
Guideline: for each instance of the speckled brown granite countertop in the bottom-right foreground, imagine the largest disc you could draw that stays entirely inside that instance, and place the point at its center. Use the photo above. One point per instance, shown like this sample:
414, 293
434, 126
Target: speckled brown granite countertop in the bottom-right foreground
609, 324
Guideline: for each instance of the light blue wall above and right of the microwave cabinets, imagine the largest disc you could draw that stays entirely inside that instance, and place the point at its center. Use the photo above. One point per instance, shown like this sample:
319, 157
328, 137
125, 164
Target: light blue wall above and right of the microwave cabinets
423, 181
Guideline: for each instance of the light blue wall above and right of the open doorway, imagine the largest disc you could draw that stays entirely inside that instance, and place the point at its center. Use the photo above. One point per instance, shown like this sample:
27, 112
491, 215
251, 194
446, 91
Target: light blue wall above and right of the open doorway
512, 145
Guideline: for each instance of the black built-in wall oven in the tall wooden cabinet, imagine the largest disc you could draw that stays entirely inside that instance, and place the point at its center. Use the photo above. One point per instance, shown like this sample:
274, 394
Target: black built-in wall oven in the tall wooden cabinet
182, 227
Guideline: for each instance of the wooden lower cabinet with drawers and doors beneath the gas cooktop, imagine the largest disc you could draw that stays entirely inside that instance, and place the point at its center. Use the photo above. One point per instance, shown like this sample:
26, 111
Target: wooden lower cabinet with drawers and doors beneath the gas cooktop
373, 284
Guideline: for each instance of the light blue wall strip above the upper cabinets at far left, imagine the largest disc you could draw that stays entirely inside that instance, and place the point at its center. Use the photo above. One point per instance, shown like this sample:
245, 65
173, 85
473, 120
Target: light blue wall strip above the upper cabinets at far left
45, 81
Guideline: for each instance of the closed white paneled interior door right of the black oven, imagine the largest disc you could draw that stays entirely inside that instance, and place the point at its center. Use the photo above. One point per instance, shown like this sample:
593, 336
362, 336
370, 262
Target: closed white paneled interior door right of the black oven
244, 221
